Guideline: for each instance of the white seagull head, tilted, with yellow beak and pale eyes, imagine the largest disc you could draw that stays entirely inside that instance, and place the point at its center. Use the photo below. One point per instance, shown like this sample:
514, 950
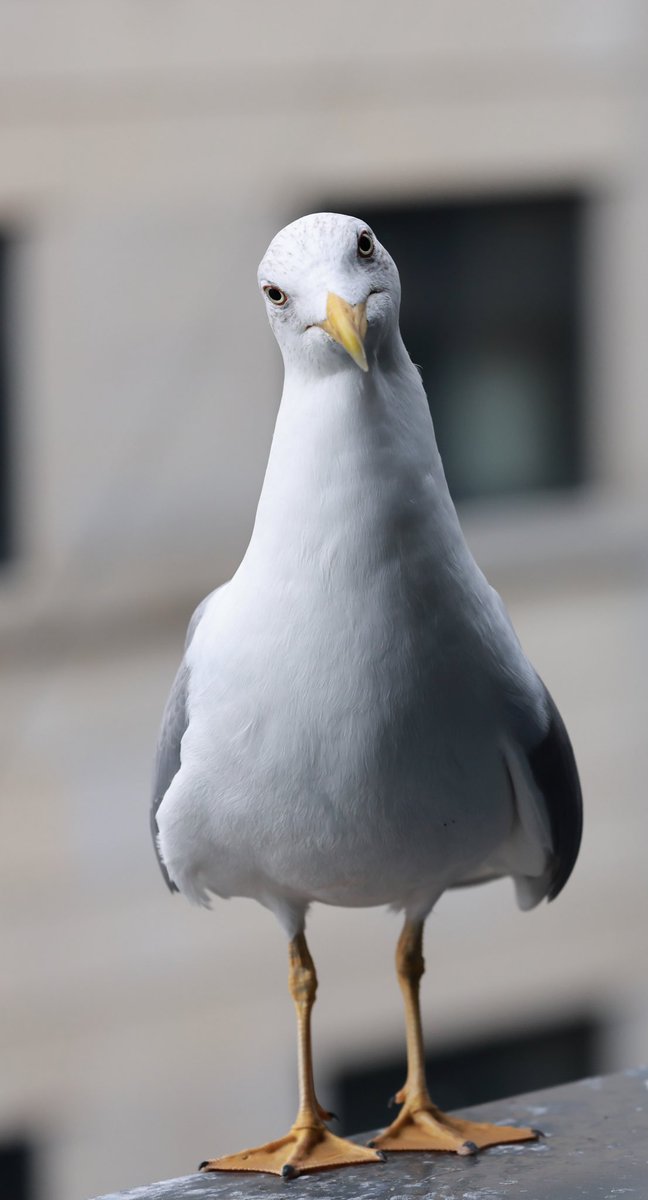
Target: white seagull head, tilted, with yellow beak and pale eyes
332, 293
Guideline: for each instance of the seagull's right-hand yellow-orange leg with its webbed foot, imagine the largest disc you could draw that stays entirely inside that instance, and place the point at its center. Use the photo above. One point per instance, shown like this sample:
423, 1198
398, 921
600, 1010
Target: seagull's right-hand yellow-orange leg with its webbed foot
421, 1125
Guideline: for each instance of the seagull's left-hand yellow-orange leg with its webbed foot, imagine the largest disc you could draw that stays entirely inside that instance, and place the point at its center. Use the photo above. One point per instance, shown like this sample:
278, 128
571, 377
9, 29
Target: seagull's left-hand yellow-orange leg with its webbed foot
309, 1145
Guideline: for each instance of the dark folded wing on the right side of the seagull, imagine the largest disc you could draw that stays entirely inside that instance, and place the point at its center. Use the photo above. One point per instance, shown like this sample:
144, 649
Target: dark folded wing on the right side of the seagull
554, 769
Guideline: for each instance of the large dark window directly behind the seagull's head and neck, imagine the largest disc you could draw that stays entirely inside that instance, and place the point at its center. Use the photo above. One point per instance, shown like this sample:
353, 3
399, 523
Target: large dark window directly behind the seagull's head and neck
491, 313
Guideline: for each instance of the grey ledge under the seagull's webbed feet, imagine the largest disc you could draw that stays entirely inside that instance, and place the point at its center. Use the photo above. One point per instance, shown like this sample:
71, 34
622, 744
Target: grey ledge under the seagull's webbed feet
596, 1149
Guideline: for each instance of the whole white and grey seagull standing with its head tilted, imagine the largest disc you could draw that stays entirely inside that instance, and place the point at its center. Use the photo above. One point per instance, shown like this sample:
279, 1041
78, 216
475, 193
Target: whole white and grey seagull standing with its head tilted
355, 721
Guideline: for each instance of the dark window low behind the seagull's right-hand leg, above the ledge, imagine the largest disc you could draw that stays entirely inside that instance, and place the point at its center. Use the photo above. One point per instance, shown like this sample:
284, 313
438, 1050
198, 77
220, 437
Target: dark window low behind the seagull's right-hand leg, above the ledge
473, 1073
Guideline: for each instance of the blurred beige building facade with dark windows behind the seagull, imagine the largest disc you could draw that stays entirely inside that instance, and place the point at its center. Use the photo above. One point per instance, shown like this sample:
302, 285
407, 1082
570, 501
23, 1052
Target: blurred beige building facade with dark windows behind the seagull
148, 154
